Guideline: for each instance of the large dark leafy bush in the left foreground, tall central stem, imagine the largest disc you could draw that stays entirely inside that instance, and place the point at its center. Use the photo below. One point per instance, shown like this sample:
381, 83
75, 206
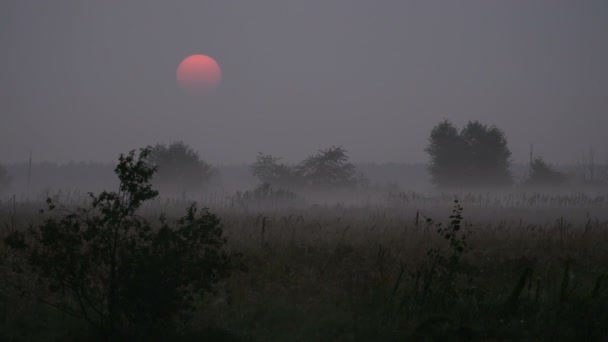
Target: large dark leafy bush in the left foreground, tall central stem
109, 266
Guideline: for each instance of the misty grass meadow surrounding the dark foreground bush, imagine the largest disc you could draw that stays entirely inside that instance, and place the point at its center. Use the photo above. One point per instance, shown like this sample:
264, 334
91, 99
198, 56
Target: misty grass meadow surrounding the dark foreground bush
377, 266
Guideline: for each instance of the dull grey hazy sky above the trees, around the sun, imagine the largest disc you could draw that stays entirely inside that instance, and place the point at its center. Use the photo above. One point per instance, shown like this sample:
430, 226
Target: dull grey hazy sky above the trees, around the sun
86, 80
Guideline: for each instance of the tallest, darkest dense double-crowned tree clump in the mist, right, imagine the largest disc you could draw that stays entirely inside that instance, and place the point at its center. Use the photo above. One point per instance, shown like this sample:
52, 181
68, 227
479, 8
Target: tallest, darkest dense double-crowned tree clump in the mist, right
478, 155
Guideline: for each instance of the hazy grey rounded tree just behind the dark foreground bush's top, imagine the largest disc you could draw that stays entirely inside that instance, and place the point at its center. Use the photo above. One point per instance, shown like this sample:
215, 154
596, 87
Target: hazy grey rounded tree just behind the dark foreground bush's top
180, 168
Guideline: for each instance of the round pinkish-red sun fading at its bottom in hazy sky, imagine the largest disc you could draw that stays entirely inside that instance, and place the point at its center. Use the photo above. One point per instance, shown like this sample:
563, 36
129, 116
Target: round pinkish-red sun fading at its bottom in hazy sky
199, 75
